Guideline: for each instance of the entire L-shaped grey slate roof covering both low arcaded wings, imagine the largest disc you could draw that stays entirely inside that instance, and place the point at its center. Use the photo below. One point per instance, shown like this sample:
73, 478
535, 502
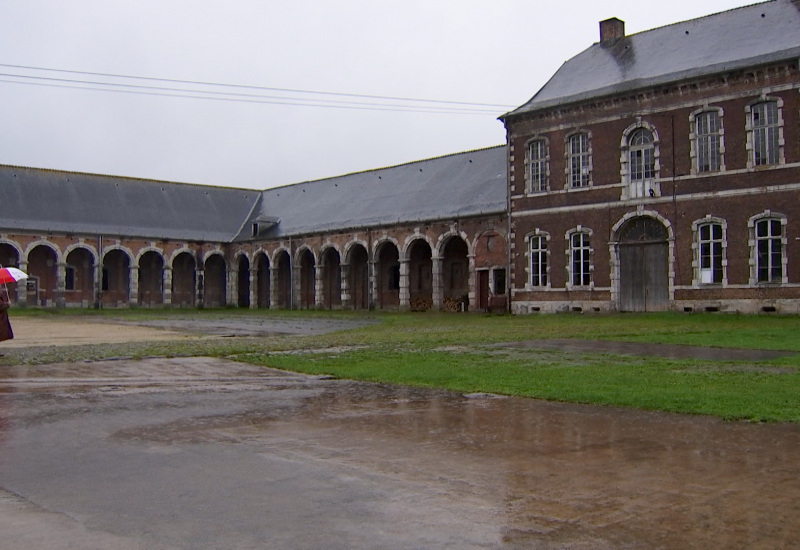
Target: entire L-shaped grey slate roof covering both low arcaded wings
454, 186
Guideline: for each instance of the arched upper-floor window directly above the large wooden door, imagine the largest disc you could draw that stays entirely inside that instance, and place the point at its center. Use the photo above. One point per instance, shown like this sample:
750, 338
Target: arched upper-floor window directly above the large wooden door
639, 161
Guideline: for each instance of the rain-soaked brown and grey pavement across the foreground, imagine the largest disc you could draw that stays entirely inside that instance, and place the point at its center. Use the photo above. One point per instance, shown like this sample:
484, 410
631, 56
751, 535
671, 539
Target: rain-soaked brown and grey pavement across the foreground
206, 453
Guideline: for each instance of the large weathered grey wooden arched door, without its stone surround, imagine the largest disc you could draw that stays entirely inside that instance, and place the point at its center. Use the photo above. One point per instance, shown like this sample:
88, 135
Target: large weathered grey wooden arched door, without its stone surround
643, 266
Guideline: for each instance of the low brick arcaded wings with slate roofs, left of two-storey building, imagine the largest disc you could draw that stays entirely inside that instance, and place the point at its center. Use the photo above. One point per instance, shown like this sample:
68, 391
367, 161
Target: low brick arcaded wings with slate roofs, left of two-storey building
428, 234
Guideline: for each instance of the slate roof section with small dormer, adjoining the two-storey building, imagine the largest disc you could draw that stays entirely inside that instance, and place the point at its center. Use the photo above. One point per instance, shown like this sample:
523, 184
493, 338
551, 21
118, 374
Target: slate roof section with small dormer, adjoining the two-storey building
454, 186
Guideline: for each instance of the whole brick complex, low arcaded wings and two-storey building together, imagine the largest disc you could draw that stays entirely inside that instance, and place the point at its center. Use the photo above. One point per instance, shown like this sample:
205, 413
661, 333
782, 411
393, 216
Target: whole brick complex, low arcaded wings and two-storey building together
657, 171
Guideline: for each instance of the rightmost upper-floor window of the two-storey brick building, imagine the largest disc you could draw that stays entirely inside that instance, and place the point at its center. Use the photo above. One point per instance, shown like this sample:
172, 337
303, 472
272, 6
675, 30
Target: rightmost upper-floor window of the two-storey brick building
765, 133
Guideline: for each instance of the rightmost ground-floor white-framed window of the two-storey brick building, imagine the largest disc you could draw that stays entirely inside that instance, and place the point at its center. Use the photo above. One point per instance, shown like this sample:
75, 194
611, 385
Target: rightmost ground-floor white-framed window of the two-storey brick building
768, 248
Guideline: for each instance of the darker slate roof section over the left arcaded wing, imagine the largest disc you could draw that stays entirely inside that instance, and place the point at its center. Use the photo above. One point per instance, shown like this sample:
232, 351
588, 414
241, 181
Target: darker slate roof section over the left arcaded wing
33, 199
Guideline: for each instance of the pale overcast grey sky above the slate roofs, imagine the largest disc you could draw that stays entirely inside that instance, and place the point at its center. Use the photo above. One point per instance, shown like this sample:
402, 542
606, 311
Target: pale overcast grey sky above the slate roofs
219, 93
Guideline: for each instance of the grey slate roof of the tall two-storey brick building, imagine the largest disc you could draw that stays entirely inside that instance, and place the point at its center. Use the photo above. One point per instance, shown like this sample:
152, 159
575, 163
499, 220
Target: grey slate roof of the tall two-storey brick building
735, 39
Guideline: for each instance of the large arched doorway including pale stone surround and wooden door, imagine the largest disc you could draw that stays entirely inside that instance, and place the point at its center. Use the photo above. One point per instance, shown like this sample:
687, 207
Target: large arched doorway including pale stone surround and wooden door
642, 262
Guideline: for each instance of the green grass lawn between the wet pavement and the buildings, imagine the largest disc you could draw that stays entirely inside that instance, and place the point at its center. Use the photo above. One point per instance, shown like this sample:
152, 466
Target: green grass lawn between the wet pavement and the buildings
455, 351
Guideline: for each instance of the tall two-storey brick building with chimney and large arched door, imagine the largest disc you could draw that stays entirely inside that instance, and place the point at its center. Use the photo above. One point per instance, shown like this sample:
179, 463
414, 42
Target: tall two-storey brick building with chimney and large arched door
661, 170
